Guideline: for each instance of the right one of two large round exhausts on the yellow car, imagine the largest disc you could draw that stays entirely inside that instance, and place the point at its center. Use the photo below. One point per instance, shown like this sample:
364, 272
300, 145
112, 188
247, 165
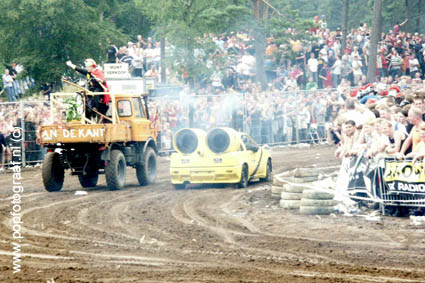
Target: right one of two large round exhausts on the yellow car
221, 140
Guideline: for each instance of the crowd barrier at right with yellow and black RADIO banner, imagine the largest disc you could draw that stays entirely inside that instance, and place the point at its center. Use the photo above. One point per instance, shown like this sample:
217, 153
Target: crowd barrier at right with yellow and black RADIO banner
387, 181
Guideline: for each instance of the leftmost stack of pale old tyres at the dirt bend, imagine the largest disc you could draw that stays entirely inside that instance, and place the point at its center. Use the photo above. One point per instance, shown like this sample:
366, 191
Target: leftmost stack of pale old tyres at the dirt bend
293, 190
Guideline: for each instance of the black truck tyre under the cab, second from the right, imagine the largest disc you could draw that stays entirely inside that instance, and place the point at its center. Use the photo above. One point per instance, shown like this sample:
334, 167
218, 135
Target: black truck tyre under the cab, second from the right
115, 171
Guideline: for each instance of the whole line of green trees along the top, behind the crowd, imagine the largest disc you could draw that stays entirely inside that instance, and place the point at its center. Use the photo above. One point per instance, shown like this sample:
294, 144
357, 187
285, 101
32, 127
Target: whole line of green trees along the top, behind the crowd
43, 34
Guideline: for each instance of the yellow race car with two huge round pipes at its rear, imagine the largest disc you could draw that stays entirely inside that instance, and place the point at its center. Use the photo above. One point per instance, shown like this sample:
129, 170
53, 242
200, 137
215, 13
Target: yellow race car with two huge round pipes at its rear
222, 155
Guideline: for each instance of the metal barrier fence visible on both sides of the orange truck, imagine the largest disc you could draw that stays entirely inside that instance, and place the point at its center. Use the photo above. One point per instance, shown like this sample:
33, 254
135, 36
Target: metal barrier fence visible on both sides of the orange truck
267, 117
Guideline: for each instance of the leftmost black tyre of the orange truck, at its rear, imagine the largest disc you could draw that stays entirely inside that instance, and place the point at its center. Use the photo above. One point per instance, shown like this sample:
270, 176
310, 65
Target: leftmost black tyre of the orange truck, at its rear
53, 172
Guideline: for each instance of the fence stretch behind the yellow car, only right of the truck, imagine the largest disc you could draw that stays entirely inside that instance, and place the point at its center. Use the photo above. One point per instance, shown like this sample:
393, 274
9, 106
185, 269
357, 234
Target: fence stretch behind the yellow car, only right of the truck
270, 121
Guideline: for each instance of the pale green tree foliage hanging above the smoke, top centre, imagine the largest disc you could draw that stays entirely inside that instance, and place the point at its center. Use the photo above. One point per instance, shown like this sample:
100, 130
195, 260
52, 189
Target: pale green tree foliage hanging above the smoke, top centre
184, 23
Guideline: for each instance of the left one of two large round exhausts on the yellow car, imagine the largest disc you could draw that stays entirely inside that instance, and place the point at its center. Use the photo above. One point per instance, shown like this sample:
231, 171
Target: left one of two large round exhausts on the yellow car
186, 141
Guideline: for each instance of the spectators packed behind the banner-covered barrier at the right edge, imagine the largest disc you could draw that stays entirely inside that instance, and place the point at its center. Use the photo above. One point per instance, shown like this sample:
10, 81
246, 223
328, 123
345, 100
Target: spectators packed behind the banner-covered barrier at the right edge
390, 127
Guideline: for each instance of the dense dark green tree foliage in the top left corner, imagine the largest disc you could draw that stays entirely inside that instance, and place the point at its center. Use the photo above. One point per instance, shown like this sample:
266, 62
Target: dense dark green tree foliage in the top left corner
43, 34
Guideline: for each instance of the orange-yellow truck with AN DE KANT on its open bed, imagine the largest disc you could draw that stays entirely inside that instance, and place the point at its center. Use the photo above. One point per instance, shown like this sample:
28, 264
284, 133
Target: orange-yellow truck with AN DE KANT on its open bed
123, 137
